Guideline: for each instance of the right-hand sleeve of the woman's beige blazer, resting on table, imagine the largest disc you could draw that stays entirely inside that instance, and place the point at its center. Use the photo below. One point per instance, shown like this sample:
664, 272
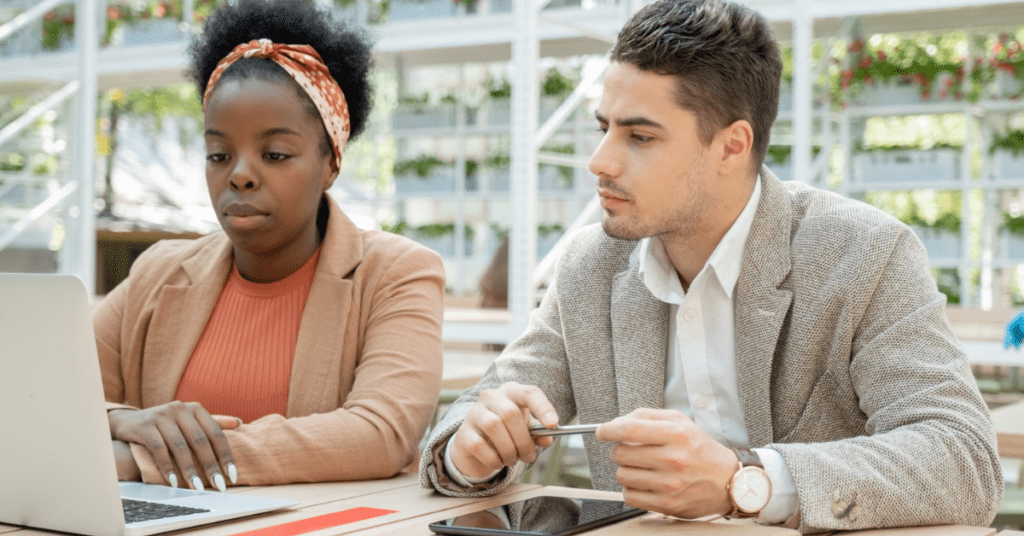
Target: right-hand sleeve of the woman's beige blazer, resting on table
376, 432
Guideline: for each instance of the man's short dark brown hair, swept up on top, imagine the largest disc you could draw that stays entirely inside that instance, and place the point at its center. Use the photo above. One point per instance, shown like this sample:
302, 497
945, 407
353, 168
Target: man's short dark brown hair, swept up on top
724, 56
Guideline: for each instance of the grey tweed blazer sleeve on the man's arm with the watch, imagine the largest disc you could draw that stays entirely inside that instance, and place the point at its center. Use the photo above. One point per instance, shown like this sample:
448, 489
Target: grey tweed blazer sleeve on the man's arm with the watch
928, 452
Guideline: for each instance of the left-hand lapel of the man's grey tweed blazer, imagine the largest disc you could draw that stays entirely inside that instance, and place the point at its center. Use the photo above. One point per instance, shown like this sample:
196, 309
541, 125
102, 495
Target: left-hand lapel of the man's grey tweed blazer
639, 341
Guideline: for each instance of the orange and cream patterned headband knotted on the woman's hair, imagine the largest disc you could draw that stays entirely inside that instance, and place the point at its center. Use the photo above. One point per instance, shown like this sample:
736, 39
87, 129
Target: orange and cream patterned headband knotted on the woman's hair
307, 67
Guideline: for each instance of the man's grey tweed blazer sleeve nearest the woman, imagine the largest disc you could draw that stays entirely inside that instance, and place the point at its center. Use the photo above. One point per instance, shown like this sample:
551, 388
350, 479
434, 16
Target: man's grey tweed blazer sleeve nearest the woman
537, 358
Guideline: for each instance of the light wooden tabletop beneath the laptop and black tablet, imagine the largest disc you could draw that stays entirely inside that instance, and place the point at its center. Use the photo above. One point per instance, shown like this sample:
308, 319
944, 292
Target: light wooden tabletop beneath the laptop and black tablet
415, 509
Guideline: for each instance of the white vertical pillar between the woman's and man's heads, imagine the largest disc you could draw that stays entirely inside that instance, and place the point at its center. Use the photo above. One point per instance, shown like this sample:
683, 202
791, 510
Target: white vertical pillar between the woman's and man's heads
523, 232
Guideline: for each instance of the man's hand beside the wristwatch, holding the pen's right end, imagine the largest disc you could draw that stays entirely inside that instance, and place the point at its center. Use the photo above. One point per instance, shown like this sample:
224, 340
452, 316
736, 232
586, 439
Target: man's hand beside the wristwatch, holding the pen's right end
668, 465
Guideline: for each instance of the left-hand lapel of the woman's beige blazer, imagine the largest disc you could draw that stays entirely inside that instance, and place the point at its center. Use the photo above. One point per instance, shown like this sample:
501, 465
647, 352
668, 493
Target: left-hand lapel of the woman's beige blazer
181, 317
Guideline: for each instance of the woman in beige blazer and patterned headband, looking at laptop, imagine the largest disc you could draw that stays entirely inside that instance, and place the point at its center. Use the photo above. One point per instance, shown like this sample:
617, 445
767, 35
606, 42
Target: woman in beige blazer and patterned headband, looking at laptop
293, 347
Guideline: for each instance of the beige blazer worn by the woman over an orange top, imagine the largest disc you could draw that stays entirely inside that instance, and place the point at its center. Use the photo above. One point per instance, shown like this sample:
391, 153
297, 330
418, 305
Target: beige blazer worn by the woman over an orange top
368, 360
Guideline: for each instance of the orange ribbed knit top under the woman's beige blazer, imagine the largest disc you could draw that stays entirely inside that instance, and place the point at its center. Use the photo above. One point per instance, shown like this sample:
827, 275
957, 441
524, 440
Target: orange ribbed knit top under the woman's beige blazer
243, 363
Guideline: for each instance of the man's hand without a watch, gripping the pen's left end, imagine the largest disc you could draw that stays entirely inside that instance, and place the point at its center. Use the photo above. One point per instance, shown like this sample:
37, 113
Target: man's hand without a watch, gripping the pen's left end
496, 433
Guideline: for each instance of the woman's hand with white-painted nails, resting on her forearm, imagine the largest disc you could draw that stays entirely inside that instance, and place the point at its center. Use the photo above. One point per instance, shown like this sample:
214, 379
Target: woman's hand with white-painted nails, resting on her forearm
184, 440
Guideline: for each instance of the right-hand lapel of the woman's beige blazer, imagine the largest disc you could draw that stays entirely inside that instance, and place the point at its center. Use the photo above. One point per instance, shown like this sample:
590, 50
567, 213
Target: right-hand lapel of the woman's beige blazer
316, 368
